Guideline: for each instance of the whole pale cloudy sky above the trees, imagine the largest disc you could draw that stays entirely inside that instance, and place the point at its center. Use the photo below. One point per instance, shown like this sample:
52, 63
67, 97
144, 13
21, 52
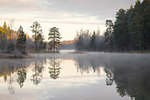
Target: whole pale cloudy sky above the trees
68, 15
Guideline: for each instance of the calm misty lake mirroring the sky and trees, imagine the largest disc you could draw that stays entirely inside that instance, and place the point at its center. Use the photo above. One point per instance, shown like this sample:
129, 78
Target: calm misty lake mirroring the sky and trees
67, 76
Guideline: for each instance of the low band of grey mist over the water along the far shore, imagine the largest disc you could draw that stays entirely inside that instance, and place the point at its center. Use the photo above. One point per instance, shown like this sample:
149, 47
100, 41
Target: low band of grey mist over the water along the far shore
87, 59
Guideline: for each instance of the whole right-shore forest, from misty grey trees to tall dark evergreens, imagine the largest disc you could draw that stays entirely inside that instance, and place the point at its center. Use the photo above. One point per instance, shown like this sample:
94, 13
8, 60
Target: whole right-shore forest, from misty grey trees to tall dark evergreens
129, 32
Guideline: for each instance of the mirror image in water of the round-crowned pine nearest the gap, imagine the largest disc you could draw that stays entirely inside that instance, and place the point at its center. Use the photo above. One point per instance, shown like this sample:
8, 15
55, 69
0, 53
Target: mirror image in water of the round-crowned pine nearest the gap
54, 68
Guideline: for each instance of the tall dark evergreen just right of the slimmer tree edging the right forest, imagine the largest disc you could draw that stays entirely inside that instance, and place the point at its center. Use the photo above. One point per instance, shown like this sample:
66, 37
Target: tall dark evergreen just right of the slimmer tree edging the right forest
120, 33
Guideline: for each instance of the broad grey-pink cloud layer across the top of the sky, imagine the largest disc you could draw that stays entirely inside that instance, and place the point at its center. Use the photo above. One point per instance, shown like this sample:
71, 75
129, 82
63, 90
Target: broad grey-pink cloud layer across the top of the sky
74, 10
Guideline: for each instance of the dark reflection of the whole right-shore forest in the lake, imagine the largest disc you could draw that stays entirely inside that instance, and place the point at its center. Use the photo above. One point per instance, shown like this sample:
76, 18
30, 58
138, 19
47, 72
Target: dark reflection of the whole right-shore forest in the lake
131, 76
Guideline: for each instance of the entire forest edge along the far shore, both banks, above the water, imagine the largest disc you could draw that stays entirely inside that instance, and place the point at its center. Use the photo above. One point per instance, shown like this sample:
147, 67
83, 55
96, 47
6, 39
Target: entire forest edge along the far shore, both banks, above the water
129, 33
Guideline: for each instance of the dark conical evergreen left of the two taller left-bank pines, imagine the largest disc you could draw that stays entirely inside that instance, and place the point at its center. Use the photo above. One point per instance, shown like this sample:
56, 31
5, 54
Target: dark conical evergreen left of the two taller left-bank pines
21, 41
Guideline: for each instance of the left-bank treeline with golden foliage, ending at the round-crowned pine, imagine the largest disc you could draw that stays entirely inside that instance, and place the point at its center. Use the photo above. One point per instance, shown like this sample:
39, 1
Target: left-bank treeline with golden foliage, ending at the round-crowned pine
18, 42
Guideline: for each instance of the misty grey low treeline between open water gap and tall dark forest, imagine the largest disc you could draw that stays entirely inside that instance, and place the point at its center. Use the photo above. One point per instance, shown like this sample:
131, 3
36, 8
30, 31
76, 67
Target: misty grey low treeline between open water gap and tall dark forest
89, 41
